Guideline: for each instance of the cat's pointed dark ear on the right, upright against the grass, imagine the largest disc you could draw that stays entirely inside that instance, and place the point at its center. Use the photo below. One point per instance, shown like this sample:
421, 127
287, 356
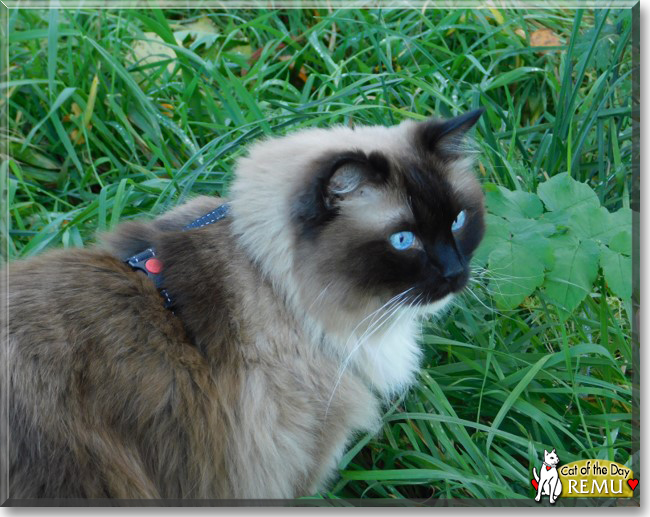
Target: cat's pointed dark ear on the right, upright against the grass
446, 137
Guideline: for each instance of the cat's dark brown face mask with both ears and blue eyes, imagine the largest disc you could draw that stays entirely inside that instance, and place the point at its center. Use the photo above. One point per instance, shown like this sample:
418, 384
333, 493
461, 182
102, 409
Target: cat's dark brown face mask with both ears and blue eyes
403, 218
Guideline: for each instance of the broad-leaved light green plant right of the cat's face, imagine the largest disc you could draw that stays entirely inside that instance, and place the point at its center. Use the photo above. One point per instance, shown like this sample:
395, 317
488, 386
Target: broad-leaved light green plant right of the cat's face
554, 241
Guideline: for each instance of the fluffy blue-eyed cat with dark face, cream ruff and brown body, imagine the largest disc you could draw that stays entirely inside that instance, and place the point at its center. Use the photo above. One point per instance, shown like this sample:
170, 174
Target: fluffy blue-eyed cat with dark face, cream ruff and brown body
294, 317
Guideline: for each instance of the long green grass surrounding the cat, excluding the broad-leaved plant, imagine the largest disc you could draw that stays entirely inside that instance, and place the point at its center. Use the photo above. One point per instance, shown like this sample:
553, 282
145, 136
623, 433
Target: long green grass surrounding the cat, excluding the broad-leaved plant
497, 387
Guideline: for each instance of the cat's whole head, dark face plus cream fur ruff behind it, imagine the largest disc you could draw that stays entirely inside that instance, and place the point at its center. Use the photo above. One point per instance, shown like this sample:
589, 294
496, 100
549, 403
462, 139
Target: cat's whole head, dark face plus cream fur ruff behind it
352, 218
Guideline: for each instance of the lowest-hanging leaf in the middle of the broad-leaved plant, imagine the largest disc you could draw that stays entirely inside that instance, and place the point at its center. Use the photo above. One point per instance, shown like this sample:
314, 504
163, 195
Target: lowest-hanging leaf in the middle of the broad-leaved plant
572, 277
